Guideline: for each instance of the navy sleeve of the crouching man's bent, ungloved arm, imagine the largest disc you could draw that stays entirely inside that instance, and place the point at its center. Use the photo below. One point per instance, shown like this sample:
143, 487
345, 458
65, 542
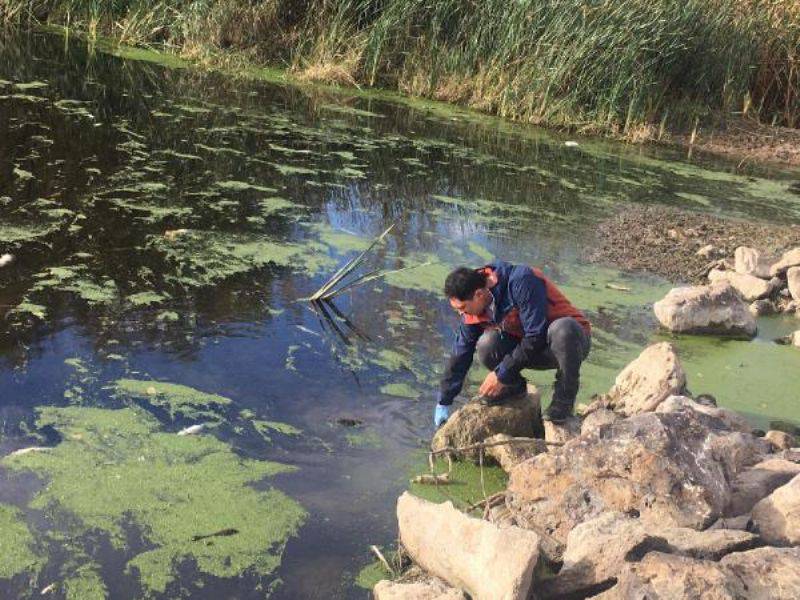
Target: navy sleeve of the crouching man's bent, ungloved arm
529, 294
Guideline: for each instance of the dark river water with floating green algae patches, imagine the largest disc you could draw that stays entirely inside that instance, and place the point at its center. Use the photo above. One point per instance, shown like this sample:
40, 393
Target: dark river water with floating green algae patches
167, 225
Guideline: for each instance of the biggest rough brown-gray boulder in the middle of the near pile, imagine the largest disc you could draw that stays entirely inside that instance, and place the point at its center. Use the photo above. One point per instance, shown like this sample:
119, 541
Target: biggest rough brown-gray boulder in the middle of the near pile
667, 467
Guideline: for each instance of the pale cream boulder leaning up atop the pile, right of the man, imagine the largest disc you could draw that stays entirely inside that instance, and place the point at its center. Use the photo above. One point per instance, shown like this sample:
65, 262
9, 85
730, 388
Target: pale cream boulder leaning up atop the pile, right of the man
647, 381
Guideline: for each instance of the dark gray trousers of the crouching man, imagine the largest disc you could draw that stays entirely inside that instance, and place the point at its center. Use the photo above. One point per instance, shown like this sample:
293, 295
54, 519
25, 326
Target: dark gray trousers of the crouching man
567, 347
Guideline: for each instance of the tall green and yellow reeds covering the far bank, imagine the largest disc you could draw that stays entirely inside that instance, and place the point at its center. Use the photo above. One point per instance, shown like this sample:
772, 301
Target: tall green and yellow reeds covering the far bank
629, 68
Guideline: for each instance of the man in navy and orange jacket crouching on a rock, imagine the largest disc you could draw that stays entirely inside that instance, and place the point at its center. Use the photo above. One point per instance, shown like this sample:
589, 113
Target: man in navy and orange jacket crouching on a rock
516, 319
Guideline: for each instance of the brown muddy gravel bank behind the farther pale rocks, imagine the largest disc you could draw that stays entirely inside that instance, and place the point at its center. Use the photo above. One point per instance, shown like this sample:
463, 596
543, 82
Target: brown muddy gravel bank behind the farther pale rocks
668, 241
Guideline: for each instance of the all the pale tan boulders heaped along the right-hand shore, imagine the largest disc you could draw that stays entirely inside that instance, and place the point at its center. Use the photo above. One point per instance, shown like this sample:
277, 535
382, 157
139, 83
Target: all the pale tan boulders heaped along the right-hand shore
647, 493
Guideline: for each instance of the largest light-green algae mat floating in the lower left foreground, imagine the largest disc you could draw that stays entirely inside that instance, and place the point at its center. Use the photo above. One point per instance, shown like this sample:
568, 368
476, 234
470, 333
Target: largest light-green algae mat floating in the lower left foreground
115, 469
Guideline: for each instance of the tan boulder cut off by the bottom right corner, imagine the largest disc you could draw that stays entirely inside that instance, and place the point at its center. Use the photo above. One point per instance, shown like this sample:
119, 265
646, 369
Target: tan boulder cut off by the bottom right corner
768, 573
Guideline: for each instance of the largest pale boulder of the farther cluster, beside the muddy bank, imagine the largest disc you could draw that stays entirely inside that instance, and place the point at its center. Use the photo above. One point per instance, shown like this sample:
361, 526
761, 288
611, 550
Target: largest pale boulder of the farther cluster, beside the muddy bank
715, 309
